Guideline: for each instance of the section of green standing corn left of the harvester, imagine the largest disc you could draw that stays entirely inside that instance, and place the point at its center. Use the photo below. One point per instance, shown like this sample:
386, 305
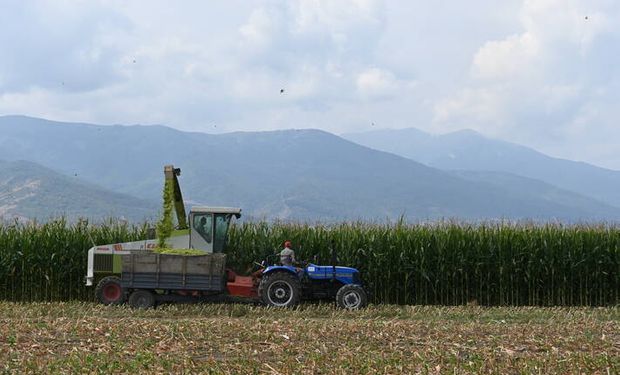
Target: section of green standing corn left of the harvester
48, 262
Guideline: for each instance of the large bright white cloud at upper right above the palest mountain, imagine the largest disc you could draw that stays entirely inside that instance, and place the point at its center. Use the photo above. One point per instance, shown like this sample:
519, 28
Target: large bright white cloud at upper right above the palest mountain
535, 86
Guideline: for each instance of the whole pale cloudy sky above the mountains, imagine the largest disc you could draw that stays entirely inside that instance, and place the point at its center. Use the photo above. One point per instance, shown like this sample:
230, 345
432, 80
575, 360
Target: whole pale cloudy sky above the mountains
542, 73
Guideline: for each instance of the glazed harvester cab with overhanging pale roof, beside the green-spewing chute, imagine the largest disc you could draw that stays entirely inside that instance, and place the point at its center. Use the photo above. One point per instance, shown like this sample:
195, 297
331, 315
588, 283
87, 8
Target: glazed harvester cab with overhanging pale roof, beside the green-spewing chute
209, 227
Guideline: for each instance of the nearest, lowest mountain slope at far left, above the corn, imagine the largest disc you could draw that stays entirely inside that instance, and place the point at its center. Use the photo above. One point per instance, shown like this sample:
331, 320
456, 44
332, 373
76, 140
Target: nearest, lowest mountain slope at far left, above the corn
28, 190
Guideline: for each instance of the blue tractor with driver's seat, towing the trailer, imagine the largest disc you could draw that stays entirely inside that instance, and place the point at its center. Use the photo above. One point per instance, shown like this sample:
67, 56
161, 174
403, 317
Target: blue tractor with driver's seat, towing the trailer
286, 286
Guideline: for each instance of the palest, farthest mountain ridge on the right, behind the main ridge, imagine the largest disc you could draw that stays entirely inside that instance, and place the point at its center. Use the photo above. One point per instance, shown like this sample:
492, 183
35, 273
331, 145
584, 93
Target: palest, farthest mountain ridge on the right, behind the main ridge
469, 150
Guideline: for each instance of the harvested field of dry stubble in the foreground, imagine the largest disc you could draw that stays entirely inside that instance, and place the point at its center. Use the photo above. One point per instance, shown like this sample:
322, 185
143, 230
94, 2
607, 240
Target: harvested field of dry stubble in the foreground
89, 338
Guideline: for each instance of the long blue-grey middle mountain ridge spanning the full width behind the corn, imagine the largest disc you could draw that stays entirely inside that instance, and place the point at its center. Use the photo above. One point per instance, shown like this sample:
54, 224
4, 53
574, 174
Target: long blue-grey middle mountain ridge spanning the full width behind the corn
307, 174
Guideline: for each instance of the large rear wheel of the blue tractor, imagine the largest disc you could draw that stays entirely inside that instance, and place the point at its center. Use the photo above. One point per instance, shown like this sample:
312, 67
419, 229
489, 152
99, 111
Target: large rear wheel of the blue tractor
280, 289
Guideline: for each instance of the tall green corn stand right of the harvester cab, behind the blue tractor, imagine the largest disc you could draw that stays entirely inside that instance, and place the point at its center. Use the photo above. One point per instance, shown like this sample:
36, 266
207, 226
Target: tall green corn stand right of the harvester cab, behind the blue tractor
453, 264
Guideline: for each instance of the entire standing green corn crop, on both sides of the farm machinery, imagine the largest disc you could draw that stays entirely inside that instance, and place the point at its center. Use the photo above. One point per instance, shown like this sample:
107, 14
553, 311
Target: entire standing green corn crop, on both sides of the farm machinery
439, 264
